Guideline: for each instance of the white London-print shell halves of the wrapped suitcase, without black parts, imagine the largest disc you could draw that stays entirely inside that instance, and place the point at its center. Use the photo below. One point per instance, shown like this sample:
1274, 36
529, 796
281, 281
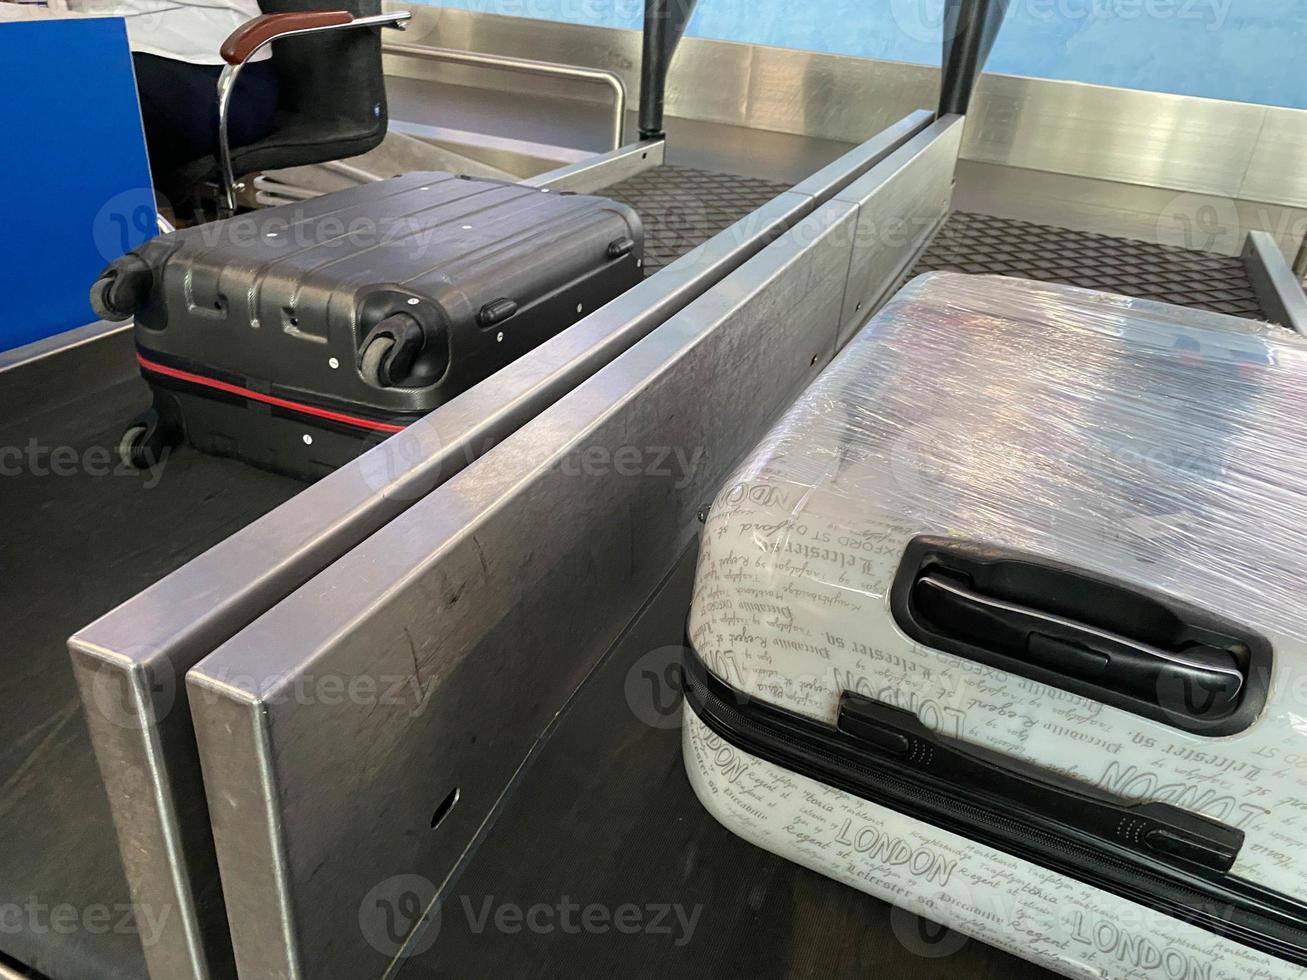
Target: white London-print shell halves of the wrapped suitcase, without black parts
1003, 412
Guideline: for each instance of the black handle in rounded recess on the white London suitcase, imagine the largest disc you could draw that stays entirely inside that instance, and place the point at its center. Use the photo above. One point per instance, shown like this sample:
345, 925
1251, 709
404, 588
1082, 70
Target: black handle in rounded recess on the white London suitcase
1079, 632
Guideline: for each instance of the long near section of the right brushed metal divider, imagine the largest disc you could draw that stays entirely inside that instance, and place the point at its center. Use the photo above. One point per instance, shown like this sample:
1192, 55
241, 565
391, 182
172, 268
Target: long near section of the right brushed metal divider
465, 595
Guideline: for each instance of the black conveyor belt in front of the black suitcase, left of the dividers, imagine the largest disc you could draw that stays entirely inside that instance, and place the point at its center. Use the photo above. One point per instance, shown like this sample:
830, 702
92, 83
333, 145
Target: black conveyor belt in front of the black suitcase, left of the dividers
75, 544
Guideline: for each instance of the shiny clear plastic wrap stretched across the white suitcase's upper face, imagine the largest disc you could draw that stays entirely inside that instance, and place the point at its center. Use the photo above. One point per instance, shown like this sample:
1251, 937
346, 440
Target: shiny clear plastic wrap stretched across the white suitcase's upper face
1071, 423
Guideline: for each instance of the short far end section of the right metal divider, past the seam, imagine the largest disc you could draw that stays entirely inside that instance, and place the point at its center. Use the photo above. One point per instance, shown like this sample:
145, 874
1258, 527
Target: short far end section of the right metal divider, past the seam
901, 203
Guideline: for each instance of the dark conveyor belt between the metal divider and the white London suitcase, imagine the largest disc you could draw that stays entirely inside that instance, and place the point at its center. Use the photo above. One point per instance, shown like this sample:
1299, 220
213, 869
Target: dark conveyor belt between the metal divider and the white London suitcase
604, 816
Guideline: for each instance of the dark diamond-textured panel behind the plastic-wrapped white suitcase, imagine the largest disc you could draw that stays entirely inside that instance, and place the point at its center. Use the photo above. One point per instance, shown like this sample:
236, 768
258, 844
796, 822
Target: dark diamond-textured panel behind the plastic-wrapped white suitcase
987, 245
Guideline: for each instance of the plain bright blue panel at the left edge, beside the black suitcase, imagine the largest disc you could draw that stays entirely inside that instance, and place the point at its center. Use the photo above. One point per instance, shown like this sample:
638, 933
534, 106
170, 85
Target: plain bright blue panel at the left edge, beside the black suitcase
74, 155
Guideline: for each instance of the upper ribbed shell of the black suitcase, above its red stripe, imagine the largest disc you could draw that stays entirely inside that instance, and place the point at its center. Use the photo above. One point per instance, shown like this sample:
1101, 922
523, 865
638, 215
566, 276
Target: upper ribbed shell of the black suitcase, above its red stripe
282, 301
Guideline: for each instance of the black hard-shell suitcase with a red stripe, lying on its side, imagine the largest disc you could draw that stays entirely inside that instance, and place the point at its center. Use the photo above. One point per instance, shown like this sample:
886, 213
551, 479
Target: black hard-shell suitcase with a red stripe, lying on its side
295, 338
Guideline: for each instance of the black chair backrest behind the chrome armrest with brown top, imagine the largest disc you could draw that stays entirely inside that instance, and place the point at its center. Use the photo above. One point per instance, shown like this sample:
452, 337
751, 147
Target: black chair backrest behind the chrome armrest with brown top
334, 78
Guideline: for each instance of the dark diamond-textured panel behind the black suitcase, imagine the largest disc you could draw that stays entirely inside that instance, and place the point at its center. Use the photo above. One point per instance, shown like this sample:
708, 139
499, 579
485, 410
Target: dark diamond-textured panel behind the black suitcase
683, 208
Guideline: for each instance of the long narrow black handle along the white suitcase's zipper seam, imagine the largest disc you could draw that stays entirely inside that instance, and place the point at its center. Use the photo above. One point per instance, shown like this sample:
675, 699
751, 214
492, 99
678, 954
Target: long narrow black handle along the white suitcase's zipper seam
1164, 832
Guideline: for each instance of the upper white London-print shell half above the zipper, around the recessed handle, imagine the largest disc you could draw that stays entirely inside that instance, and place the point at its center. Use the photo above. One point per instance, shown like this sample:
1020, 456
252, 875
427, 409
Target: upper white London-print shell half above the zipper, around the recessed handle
1155, 446
